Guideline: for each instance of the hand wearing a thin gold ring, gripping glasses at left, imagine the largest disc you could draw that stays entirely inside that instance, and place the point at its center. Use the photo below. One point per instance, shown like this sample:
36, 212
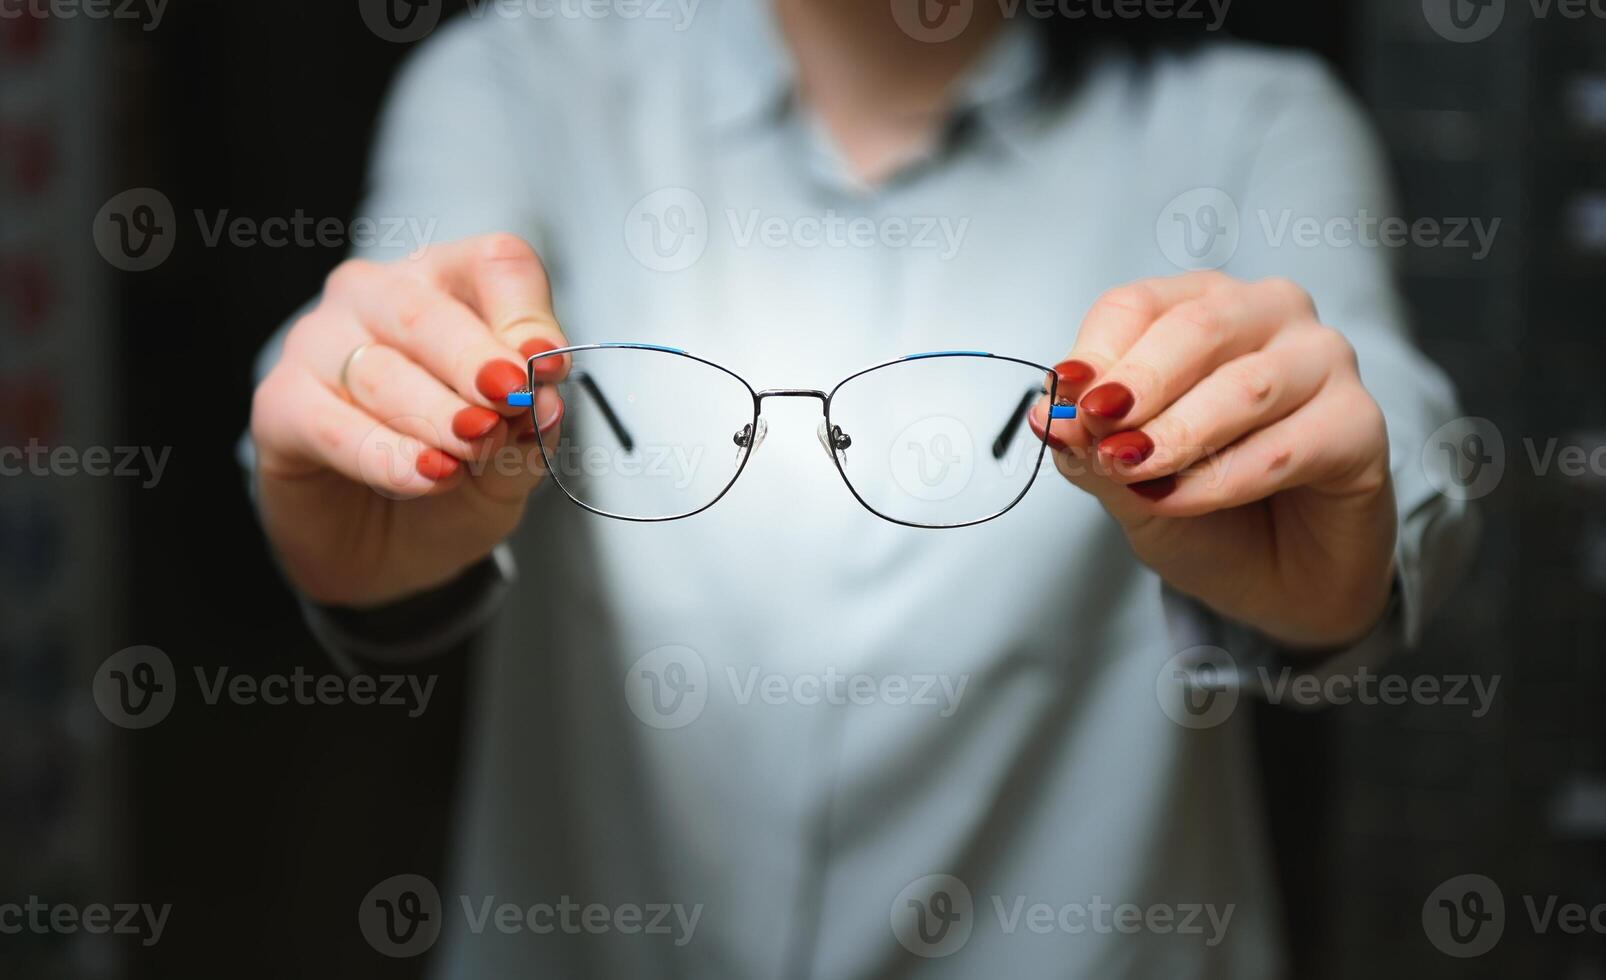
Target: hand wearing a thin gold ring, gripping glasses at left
415, 468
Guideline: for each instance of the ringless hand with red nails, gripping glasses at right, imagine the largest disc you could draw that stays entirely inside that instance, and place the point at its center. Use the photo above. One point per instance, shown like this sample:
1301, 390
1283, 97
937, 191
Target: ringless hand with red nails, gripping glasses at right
1229, 435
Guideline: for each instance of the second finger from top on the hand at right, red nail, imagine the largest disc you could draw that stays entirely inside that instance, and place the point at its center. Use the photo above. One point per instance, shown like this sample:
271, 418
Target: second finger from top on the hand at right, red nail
1186, 345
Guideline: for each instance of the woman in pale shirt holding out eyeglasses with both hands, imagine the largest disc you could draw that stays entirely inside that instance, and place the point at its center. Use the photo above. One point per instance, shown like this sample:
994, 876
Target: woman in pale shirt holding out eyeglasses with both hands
664, 714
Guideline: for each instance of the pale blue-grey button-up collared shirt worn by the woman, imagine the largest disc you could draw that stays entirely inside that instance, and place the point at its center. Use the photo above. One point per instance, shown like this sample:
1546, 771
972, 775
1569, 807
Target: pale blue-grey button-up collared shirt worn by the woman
990, 704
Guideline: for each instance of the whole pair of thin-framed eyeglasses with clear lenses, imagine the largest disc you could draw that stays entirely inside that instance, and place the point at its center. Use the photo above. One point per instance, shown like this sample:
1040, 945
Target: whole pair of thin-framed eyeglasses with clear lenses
653, 433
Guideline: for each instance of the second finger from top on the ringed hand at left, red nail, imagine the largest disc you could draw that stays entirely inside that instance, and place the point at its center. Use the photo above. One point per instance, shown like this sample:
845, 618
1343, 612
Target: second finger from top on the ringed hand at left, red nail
404, 309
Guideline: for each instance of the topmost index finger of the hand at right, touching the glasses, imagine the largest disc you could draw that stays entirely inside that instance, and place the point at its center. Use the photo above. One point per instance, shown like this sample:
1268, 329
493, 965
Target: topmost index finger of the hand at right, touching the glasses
1114, 324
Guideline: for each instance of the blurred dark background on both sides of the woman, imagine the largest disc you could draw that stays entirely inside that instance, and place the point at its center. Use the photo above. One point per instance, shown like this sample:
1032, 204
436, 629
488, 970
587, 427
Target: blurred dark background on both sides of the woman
264, 828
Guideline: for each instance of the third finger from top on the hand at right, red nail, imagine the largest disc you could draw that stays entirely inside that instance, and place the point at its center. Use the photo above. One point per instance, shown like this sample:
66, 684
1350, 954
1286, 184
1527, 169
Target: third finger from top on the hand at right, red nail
1242, 396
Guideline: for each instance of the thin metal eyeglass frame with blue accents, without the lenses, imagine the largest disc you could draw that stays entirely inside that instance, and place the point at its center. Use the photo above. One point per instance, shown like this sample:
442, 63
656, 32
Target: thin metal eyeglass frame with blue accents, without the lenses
839, 439
